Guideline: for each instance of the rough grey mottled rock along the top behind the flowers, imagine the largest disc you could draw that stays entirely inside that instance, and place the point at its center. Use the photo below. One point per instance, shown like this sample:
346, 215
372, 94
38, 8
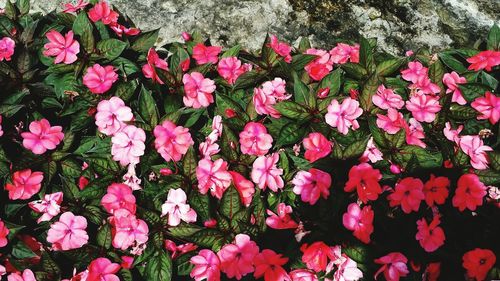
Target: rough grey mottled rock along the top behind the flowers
399, 25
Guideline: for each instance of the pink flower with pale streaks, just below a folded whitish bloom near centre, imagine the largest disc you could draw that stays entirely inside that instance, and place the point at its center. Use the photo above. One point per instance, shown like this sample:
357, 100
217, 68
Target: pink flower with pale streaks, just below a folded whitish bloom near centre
213, 176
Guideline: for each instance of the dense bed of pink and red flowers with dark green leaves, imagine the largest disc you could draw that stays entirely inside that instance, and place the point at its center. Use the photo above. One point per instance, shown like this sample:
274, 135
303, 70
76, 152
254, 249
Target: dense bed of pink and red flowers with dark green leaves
122, 160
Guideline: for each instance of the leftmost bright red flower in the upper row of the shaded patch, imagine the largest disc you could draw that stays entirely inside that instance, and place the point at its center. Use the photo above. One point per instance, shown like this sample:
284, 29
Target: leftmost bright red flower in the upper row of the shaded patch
365, 180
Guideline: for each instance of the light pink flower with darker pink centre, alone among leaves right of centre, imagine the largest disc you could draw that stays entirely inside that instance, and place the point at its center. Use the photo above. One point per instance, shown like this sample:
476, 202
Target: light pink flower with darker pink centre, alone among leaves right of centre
343, 116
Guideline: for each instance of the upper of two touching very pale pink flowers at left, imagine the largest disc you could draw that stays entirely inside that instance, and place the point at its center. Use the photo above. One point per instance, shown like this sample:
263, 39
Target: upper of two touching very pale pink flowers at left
112, 116
